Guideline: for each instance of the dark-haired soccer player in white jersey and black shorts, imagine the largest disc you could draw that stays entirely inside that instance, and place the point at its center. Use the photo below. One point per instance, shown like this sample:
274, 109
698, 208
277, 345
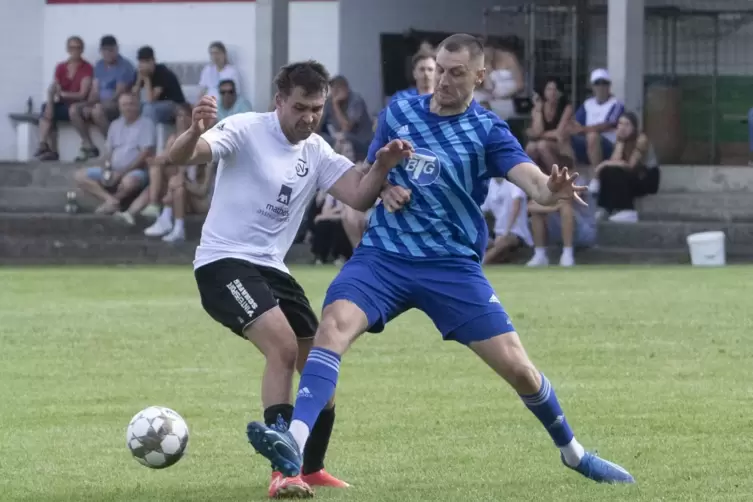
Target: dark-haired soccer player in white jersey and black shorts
270, 167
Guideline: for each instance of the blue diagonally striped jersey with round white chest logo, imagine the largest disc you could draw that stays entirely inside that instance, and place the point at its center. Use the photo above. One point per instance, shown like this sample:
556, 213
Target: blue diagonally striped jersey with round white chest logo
448, 175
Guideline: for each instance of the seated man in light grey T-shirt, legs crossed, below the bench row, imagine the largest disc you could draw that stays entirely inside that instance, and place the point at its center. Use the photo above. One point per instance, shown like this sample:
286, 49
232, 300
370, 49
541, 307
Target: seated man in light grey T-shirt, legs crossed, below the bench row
130, 142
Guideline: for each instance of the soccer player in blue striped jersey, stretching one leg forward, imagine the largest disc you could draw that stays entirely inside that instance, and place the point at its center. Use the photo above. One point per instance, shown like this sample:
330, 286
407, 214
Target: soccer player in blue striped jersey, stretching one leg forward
427, 255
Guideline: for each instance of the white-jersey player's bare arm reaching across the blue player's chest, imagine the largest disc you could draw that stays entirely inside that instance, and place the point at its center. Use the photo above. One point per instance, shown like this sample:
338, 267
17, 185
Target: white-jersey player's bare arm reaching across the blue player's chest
360, 188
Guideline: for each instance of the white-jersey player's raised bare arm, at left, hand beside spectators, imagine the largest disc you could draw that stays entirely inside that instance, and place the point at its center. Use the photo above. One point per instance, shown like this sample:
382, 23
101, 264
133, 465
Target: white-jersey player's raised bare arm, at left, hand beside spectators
189, 148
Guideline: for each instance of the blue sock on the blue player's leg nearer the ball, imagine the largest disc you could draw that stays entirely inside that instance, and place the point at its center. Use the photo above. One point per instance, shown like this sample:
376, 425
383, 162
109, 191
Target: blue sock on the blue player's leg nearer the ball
317, 385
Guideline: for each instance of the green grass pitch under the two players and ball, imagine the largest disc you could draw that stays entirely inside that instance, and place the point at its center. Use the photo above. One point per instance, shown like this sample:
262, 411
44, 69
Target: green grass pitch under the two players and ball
652, 365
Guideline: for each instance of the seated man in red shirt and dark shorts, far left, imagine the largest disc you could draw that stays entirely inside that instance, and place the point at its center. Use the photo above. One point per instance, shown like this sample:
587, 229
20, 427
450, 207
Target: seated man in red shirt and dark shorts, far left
73, 80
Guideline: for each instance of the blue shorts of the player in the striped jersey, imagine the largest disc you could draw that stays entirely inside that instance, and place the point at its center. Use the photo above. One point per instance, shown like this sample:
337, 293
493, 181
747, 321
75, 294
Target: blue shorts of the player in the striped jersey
453, 292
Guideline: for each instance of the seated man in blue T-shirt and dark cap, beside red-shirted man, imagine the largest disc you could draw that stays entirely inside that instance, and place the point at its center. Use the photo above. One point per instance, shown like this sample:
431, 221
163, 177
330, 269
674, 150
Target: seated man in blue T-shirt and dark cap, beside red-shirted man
113, 75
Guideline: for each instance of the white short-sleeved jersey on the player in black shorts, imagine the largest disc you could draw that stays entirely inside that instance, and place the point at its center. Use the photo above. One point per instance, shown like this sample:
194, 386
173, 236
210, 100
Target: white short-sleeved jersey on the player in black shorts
263, 186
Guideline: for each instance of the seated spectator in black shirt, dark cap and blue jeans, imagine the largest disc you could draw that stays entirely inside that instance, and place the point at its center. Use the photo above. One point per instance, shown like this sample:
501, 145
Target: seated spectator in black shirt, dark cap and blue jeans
159, 88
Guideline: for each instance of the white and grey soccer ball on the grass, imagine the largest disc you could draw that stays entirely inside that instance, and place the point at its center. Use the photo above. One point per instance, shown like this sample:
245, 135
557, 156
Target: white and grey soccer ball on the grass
157, 437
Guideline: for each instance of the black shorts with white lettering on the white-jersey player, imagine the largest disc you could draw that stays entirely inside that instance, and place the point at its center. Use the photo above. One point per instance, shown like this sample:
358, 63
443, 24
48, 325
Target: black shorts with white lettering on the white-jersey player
236, 292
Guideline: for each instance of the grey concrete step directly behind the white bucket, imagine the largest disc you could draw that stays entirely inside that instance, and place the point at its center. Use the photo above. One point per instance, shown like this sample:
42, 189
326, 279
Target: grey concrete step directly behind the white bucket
671, 235
